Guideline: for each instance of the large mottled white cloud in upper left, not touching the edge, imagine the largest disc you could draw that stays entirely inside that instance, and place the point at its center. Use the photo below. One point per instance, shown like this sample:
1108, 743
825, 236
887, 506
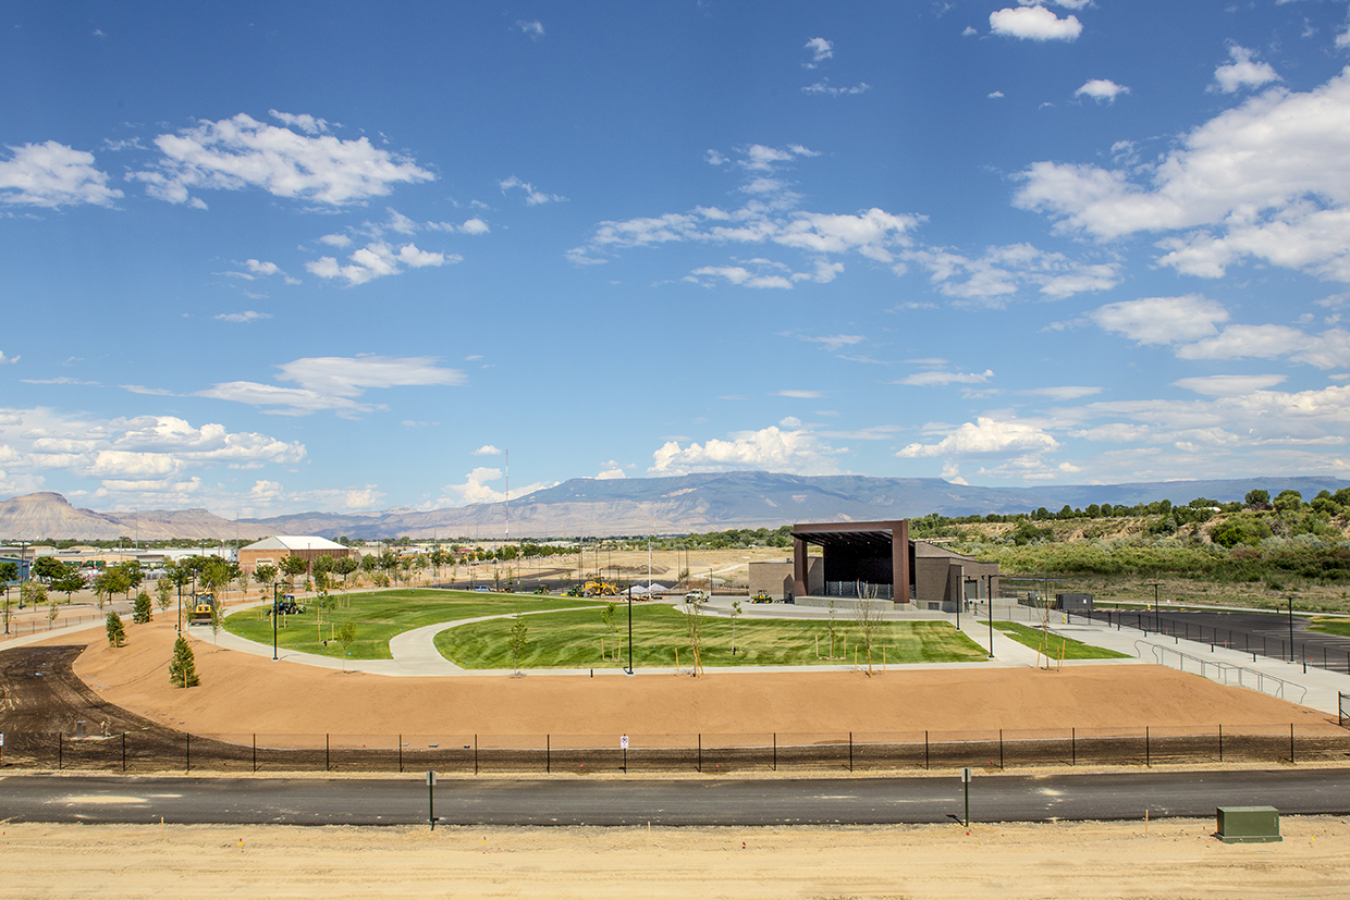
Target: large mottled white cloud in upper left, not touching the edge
242, 153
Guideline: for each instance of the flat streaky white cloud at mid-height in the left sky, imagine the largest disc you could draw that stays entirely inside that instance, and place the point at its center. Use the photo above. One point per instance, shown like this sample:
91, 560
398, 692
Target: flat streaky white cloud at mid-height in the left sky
337, 384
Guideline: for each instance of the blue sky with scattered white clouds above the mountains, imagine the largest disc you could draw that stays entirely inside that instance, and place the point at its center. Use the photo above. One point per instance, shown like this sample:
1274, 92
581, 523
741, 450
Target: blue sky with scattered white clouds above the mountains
267, 258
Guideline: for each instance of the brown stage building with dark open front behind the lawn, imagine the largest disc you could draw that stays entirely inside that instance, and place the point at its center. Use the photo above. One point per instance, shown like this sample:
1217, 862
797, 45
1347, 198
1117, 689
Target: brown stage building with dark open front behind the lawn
874, 562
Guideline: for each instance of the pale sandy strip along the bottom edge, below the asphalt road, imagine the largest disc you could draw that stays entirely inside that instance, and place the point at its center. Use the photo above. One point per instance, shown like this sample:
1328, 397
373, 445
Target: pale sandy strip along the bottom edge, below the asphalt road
1177, 859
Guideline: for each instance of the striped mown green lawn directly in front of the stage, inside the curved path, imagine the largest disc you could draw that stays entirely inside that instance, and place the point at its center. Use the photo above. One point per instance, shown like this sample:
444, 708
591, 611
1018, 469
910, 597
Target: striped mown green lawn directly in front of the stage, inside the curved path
573, 640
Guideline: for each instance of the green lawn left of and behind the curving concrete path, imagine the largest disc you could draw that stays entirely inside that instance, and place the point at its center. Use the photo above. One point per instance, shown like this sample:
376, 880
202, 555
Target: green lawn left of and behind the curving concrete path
383, 615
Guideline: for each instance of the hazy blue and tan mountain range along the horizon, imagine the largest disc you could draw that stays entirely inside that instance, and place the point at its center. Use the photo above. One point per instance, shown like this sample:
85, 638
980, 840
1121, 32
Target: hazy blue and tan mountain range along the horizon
637, 507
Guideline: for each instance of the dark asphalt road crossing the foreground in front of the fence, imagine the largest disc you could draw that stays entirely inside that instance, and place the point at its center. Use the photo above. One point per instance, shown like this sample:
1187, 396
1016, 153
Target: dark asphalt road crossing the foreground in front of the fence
616, 802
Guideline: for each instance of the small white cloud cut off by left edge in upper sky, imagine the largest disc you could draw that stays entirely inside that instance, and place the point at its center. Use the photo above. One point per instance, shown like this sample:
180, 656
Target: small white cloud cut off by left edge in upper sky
53, 176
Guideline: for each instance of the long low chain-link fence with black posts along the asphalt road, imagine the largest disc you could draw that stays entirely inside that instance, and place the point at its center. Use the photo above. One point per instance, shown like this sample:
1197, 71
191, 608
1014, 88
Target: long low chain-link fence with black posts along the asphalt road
674, 754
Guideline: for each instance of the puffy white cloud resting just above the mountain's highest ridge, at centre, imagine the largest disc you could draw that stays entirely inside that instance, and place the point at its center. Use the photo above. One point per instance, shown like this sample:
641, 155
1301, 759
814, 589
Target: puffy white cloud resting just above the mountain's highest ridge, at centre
774, 450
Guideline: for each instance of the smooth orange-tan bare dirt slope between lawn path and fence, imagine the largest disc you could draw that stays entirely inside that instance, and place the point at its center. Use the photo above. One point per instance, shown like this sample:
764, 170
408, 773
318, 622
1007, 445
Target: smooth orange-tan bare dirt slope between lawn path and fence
242, 694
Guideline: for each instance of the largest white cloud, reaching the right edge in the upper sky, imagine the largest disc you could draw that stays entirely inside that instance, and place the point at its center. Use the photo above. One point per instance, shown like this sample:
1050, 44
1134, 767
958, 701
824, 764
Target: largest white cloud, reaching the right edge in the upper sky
1268, 180
